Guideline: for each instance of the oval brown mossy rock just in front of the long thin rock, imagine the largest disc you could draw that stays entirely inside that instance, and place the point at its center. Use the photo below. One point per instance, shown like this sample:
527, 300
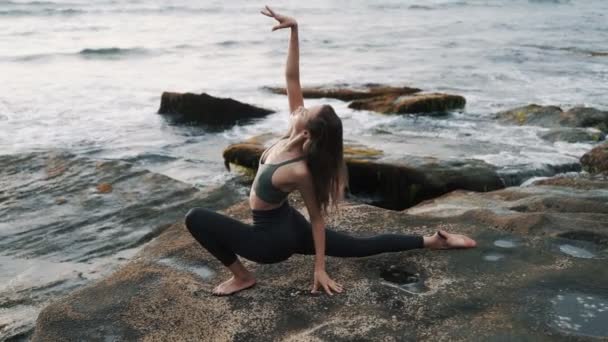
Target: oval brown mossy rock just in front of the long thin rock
414, 104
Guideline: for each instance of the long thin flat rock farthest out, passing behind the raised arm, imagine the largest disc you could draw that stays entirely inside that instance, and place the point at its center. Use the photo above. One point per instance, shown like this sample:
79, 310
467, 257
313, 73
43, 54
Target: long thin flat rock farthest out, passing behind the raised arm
348, 93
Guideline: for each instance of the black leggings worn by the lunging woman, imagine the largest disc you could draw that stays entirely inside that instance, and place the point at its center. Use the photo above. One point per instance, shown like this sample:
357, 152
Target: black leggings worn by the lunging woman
278, 233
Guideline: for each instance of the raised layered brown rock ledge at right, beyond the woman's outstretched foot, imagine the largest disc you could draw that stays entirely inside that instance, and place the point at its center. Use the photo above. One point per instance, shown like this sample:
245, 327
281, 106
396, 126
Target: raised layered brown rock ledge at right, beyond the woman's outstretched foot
558, 209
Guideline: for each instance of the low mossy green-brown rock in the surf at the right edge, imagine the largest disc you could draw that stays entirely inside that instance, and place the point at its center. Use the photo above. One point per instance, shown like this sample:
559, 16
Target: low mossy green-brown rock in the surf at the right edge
553, 116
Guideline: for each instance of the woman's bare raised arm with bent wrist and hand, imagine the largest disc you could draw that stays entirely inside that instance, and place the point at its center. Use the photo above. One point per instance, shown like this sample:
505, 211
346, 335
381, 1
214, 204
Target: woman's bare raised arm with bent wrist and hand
292, 68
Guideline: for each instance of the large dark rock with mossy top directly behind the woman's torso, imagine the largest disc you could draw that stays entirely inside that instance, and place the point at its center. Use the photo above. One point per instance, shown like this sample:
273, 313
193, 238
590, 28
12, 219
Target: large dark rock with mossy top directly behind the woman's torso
395, 184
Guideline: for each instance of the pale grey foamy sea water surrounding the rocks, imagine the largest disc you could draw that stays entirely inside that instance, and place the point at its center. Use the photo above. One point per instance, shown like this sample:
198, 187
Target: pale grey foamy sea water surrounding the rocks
81, 82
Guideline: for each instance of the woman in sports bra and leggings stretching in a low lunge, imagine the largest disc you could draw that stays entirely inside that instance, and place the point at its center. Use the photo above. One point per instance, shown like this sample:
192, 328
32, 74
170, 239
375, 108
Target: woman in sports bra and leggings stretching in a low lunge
308, 159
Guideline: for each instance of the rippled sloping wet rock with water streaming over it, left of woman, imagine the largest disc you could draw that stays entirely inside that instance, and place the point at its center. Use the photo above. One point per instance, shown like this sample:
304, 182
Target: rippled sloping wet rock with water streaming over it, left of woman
66, 219
